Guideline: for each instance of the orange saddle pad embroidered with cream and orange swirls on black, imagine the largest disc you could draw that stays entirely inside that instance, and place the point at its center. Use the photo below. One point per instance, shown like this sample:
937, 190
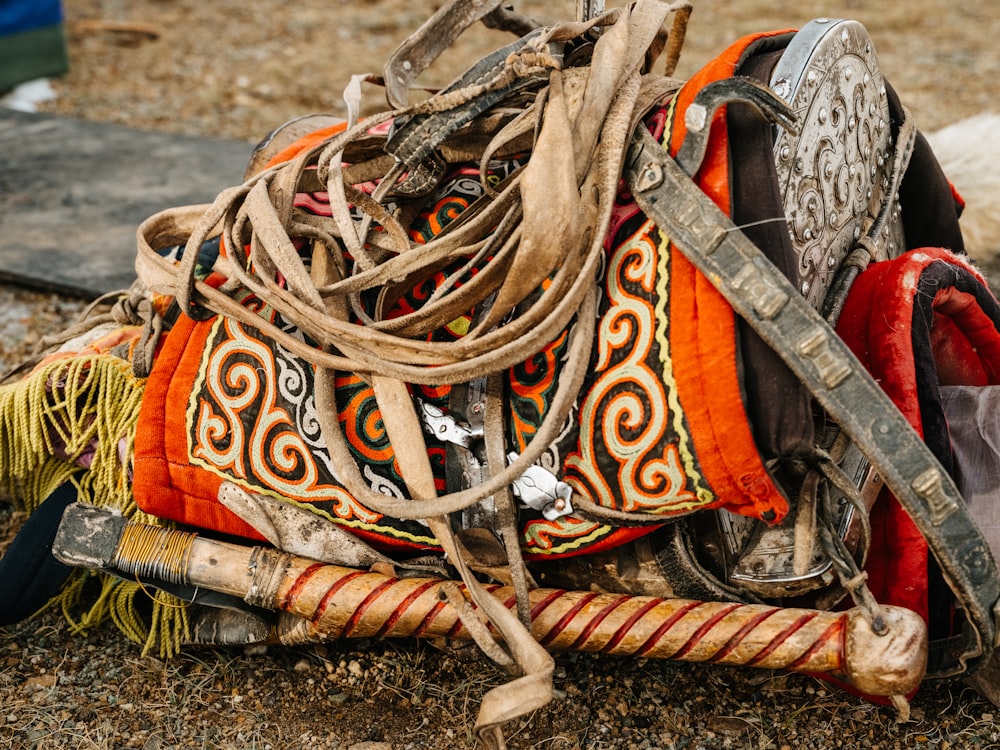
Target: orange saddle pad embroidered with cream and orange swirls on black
683, 408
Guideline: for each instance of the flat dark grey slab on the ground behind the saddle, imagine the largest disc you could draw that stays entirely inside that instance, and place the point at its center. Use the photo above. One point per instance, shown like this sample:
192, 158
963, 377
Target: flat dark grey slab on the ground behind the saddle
72, 193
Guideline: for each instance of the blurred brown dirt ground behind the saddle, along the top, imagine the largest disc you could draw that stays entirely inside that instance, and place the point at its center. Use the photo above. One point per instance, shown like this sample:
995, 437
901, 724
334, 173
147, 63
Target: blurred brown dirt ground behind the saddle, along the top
238, 69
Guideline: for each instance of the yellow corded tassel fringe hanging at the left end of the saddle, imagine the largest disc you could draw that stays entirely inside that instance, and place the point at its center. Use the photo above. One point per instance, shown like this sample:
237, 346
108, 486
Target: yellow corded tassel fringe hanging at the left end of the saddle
50, 423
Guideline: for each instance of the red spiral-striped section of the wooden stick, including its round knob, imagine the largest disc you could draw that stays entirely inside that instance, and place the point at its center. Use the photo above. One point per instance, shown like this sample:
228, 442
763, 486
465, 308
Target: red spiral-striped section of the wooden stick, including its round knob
337, 602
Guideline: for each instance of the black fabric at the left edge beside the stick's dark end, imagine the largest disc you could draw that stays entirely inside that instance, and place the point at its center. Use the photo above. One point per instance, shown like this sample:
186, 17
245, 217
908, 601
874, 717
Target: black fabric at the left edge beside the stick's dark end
29, 574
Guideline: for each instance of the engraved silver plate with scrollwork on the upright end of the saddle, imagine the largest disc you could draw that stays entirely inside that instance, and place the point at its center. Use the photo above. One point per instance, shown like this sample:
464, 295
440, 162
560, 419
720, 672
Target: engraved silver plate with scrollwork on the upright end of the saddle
833, 176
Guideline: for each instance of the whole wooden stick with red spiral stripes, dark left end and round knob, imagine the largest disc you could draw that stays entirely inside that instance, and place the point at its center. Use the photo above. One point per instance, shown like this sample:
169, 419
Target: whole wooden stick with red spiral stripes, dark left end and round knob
337, 602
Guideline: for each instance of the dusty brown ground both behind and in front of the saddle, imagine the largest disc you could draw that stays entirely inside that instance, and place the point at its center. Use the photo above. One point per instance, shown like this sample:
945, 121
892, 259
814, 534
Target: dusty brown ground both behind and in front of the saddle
237, 69
